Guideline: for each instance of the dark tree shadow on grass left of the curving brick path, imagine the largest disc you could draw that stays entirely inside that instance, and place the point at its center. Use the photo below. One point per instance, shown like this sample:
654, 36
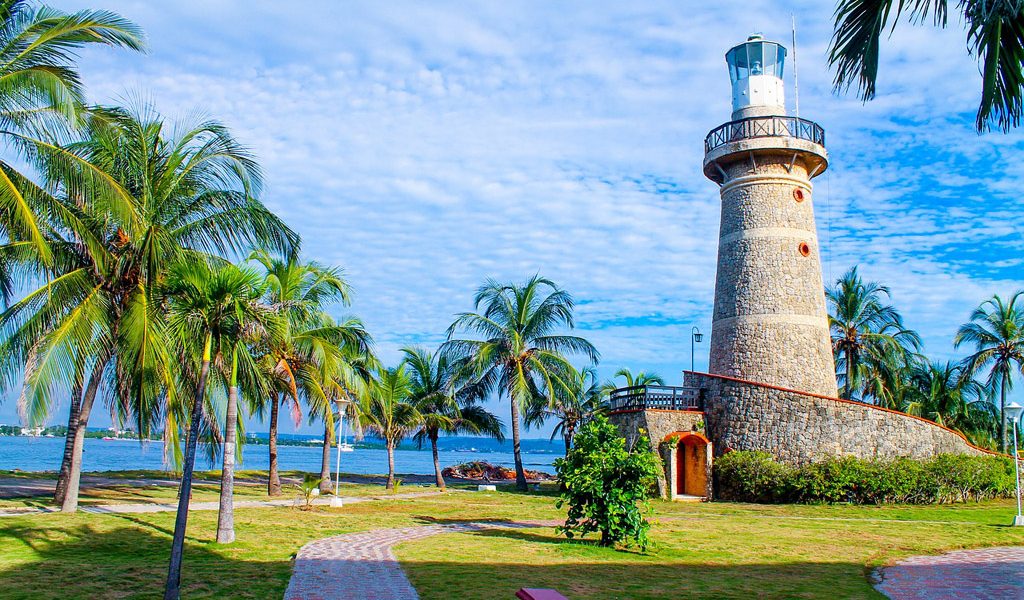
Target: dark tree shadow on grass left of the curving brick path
66, 562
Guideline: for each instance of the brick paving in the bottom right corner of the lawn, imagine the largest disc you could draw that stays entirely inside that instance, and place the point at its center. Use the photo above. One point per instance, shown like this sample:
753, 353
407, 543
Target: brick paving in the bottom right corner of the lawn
994, 574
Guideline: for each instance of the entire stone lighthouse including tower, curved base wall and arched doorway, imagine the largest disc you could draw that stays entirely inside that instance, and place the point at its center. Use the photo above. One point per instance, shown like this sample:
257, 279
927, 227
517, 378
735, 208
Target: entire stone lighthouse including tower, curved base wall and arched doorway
772, 384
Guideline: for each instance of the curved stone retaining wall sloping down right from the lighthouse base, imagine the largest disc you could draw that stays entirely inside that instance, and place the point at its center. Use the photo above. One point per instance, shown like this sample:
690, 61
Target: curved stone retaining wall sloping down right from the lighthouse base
798, 427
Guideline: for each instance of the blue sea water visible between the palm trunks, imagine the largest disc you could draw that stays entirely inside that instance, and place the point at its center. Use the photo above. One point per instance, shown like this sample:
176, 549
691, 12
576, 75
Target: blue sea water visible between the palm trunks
44, 454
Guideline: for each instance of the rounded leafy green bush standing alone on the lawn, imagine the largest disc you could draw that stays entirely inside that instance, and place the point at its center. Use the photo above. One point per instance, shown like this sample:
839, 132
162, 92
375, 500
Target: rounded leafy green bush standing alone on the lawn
608, 485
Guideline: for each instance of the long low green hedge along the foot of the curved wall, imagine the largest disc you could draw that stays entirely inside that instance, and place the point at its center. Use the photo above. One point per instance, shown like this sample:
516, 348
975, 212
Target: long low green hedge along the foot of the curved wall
756, 477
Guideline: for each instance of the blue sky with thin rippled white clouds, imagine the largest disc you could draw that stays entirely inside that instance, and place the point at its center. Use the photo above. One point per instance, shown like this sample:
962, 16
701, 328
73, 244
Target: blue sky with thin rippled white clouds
429, 147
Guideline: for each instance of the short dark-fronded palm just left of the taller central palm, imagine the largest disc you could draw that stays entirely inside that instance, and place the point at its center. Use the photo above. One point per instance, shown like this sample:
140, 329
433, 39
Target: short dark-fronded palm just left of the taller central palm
444, 393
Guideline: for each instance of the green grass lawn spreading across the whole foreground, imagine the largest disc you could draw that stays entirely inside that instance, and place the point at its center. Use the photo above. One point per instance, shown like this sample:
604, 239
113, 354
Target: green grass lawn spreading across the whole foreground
700, 550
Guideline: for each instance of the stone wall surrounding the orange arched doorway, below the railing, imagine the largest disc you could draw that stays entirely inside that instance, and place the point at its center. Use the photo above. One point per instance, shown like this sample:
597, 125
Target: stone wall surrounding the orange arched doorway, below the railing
660, 425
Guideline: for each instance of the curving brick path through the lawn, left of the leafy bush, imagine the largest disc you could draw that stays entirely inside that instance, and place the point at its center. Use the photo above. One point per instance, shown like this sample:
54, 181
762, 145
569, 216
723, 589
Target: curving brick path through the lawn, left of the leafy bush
362, 567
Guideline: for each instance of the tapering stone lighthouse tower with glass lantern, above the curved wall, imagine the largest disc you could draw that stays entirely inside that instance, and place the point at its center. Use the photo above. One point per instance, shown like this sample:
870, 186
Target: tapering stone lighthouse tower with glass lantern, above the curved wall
771, 323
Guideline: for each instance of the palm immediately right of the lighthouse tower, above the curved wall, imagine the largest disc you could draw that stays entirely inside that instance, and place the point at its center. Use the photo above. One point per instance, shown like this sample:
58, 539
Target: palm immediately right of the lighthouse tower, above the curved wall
868, 333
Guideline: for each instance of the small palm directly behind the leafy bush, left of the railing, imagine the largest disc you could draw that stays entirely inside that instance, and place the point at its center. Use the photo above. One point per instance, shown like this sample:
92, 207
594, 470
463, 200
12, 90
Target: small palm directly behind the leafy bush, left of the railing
576, 403
